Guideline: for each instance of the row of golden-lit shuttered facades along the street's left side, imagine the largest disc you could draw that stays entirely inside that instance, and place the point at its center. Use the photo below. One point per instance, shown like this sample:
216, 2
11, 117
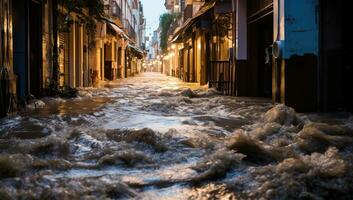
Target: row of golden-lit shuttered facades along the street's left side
45, 44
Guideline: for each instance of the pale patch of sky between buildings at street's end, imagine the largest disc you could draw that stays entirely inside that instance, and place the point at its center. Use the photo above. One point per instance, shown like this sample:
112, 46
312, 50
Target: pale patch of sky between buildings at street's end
152, 10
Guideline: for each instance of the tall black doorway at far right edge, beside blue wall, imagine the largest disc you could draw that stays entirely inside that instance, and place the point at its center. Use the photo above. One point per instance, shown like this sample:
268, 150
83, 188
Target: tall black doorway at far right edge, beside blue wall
336, 69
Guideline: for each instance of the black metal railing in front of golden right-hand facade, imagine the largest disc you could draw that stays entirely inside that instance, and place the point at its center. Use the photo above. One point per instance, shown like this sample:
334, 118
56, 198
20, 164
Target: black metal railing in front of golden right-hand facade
221, 76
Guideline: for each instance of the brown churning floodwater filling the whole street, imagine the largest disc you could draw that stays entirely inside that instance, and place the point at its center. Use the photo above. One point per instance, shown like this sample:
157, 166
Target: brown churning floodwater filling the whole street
154, 137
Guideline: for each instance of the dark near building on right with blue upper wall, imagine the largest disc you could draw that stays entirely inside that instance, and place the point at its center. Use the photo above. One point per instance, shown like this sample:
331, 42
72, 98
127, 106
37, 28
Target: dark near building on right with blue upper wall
296, 53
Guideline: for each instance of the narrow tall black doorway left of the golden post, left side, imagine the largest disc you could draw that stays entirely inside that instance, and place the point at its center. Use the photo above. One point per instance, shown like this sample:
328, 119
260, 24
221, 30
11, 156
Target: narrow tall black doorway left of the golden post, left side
35, 48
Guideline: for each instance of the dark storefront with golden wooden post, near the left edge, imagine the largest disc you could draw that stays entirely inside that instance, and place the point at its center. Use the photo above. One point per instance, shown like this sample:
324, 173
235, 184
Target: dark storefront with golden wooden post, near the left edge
32, 46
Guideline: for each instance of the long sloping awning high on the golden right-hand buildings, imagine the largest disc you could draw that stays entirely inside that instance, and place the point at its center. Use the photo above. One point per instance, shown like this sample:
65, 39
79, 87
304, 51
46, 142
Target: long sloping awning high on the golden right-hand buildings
189, 22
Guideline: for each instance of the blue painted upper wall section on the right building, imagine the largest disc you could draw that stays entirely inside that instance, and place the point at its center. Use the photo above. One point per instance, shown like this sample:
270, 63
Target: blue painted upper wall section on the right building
301, 27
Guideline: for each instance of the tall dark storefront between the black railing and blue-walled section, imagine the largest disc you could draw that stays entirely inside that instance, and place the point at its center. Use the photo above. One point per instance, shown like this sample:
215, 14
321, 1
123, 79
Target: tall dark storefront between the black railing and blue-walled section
253, 47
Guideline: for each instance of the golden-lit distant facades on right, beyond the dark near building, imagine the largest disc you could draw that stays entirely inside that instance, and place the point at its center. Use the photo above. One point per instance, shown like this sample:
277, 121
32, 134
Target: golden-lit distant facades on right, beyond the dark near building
200, 44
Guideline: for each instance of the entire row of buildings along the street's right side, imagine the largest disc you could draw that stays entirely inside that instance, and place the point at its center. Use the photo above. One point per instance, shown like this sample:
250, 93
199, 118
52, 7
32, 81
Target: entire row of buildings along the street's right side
295, 53
